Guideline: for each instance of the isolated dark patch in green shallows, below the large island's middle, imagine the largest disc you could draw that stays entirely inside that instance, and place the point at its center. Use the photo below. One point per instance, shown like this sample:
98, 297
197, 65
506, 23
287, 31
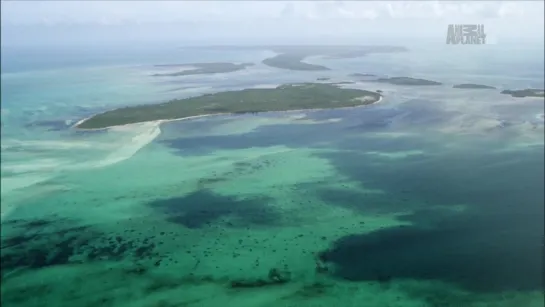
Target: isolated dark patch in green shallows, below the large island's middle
201, 208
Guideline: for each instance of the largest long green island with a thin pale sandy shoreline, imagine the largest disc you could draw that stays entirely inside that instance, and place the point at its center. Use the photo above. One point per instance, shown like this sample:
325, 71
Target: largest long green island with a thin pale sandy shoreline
286, 97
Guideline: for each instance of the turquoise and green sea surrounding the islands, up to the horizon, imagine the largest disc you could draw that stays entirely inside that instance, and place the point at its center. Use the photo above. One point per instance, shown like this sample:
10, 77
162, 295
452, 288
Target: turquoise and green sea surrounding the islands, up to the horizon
433, 197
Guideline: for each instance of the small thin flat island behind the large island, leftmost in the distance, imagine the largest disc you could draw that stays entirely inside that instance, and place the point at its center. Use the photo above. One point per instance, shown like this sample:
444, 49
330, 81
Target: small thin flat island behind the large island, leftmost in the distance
202, 68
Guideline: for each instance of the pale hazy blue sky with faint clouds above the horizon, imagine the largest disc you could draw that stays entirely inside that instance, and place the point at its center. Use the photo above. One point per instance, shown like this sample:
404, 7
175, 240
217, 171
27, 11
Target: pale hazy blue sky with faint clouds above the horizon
260, 22
